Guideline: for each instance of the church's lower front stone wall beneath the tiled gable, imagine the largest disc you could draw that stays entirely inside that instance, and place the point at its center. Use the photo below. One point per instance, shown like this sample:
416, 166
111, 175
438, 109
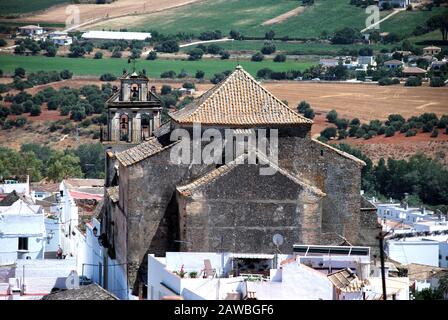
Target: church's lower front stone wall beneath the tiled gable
241, 211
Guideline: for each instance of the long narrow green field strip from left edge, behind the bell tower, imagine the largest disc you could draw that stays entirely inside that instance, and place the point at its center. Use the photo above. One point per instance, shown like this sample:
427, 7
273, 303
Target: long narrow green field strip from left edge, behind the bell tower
83, 66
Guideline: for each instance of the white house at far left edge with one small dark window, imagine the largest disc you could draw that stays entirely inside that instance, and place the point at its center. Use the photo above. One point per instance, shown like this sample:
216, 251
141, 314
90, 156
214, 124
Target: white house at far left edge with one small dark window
22, 232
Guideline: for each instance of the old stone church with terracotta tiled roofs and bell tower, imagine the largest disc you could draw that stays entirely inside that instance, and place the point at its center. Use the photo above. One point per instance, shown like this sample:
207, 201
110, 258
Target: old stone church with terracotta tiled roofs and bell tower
153, 205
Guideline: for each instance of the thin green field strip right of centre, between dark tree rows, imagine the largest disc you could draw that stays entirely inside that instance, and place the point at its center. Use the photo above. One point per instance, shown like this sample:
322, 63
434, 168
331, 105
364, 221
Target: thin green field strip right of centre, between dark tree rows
310, 48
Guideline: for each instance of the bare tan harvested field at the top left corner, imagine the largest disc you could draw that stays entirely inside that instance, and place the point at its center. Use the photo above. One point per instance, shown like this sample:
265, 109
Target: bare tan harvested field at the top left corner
57, 14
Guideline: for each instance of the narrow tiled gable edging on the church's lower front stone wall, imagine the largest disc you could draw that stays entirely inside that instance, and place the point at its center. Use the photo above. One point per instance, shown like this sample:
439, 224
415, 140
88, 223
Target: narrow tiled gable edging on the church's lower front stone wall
188, 189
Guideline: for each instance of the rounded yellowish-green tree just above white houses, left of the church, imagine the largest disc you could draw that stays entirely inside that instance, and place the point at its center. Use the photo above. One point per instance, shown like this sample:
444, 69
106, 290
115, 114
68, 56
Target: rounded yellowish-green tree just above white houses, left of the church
63, 165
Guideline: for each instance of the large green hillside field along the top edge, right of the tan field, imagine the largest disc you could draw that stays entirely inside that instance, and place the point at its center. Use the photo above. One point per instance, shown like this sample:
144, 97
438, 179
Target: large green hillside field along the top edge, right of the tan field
247, 16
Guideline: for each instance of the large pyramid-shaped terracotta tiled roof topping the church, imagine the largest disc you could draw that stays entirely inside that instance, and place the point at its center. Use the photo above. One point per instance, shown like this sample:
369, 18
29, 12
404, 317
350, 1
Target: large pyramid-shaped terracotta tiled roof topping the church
239, 100
